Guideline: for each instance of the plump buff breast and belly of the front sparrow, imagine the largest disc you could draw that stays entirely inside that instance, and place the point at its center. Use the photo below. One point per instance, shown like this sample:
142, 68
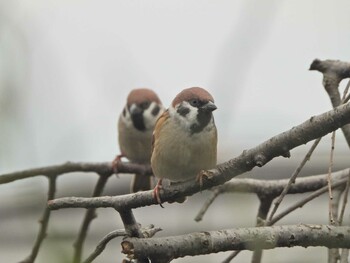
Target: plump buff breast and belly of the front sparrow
179, 155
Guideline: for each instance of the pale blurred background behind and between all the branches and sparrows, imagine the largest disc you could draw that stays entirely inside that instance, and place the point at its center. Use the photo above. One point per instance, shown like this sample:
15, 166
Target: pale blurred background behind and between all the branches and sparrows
66, 68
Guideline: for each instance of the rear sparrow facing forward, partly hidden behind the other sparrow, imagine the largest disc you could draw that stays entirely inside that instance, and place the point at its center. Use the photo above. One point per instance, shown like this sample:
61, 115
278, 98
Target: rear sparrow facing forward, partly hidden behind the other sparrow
135, 127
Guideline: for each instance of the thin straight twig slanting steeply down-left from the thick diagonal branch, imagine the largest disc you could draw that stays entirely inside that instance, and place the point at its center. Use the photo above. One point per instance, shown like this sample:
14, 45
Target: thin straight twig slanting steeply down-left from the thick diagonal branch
293, 177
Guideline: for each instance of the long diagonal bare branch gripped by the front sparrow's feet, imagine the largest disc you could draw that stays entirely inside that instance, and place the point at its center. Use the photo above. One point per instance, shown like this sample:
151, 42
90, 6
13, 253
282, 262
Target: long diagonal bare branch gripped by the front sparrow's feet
314, 128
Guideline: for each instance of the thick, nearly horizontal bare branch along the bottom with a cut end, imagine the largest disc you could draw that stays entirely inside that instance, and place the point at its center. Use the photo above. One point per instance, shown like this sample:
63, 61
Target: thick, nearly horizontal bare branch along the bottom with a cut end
201, 243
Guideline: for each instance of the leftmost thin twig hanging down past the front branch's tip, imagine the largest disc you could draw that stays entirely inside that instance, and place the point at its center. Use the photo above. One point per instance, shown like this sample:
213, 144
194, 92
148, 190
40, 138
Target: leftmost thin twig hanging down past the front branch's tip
44, 222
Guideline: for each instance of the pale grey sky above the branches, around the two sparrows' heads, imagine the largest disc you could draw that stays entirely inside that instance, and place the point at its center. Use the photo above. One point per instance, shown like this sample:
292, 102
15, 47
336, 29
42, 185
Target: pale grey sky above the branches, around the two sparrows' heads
68, 65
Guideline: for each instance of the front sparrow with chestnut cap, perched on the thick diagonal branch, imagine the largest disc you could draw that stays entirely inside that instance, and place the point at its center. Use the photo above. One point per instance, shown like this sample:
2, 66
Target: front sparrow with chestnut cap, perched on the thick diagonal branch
184, 138
